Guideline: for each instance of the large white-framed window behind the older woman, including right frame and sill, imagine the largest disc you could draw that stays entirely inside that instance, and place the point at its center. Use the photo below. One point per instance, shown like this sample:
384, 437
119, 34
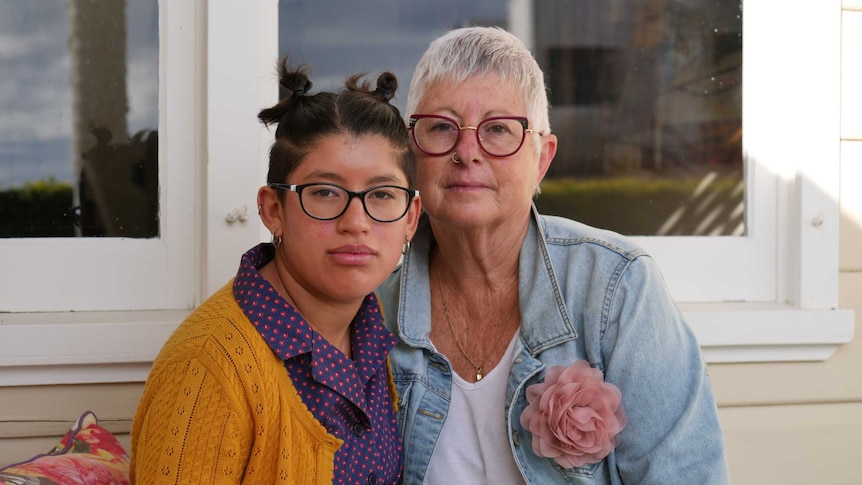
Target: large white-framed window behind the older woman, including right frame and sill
735, 224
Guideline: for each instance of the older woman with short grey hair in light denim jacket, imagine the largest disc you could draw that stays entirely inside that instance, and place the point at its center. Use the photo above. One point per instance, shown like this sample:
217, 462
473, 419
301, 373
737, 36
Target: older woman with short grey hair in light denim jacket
532, 349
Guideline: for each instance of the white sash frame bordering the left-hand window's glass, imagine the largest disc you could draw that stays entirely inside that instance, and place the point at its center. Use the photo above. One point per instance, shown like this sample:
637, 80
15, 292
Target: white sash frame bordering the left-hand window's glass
112, 274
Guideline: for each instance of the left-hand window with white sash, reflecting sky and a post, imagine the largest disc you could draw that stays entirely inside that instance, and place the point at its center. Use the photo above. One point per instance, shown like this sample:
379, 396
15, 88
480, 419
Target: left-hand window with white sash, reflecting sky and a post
87, 116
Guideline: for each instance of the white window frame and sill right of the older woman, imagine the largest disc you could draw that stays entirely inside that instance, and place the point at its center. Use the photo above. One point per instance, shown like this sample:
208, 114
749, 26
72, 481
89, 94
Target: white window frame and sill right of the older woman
773, 294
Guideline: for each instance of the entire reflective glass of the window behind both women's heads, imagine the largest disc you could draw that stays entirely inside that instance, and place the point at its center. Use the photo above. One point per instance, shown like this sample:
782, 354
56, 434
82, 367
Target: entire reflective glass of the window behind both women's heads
646, 96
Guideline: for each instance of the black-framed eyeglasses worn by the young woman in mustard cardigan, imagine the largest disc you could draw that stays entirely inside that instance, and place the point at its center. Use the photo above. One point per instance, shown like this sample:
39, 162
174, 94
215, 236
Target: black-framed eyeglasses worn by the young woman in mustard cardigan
325, 202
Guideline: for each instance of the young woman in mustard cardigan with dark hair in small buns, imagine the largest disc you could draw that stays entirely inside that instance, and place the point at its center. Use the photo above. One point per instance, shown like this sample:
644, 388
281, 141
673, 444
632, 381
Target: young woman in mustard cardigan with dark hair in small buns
282, 375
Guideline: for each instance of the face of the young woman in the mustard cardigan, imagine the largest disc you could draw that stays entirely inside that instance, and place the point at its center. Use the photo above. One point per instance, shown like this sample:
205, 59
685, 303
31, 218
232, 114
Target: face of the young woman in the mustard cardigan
346, 258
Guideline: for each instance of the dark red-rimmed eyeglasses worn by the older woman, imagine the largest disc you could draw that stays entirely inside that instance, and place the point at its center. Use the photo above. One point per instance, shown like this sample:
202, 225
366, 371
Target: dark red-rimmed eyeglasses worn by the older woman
499, 136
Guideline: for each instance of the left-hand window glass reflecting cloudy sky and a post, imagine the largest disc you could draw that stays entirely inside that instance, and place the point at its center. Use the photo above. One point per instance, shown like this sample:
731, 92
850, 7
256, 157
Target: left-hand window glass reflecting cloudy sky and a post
78, 130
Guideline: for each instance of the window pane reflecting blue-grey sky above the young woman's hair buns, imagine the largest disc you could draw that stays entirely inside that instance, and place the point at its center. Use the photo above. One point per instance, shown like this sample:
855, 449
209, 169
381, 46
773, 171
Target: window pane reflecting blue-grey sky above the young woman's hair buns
341, 37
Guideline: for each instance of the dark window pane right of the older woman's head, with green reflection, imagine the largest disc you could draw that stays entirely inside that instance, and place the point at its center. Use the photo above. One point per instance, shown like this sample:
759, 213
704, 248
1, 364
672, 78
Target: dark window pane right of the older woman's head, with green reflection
647, 103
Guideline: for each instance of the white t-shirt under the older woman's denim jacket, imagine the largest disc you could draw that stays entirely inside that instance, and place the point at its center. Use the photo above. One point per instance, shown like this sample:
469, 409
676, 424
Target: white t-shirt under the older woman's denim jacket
477, 411
